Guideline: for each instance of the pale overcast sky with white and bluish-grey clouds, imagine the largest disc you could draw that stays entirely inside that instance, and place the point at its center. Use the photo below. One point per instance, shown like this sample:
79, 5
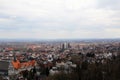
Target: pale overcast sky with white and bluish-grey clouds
59, 19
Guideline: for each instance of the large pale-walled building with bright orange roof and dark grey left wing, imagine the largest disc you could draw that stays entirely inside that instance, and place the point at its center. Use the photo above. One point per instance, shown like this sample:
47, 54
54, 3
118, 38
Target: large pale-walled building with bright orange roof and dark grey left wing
12, 67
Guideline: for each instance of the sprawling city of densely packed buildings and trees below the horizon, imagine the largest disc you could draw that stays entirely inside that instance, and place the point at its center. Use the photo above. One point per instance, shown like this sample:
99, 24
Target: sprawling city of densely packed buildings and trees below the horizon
60, 60
